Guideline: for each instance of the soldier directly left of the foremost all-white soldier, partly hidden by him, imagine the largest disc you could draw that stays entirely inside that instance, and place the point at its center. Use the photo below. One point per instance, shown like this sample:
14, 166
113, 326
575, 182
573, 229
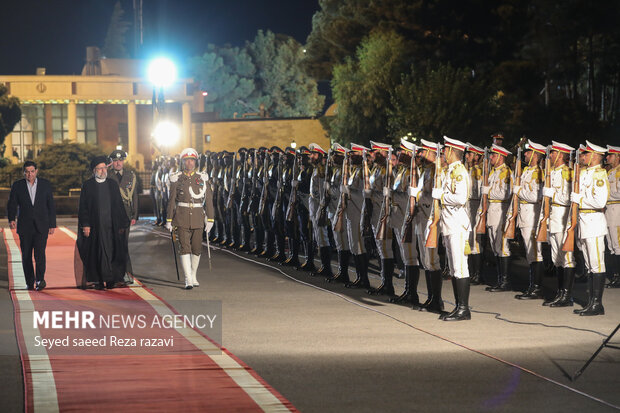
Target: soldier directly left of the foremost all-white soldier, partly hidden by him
429, 258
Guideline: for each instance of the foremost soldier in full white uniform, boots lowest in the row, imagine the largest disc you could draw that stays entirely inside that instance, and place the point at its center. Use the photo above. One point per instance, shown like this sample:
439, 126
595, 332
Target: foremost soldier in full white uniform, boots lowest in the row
455, 224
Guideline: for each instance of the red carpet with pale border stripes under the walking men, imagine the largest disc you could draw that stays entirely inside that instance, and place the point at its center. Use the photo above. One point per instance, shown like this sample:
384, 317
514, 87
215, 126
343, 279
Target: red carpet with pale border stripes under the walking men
184, 378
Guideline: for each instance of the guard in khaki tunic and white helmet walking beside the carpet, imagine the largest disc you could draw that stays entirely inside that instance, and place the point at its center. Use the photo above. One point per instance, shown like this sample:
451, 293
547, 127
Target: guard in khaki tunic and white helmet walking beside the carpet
191, 212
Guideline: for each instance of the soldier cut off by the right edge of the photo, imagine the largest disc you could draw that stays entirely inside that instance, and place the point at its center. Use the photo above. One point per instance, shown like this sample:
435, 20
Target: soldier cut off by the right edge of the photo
612, 212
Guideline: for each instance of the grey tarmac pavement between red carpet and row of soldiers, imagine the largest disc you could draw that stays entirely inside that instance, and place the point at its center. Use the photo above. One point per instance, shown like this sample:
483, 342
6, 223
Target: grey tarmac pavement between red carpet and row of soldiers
330, 349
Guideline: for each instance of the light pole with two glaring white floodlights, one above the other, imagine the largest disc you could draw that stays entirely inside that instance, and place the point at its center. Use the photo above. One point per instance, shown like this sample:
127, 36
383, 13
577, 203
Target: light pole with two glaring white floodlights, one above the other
162, 73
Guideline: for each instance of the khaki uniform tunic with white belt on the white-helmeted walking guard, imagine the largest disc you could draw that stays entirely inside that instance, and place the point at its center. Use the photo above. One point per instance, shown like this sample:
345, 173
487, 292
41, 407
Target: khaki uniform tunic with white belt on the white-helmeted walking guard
190, 206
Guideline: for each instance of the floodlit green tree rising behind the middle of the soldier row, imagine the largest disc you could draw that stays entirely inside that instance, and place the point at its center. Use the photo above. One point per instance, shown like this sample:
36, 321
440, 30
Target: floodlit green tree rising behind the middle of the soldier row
362, 87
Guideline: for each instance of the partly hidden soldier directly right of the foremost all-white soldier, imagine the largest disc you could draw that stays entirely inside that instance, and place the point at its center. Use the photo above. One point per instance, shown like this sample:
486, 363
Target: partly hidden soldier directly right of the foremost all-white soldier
473, 156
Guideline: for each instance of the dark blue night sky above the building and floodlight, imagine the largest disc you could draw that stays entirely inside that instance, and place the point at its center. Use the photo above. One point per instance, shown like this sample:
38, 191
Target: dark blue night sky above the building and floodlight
55, 33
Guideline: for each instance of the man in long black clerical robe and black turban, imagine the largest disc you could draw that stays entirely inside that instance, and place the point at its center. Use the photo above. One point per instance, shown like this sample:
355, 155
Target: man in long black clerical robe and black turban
102, 221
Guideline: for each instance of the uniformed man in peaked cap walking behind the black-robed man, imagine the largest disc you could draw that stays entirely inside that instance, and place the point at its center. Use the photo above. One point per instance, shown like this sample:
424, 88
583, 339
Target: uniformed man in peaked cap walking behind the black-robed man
127, 183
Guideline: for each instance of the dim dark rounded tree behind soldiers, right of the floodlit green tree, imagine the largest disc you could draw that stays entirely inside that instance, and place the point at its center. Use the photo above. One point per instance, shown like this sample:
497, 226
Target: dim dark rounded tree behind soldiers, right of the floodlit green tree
443, 101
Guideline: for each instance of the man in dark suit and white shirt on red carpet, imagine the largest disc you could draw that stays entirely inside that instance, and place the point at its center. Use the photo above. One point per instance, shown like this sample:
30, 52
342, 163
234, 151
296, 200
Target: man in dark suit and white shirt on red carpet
32, 203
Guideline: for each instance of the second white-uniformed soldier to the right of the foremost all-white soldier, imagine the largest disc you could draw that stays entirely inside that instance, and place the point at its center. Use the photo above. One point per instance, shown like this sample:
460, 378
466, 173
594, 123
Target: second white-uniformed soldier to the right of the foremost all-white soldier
499, 191
